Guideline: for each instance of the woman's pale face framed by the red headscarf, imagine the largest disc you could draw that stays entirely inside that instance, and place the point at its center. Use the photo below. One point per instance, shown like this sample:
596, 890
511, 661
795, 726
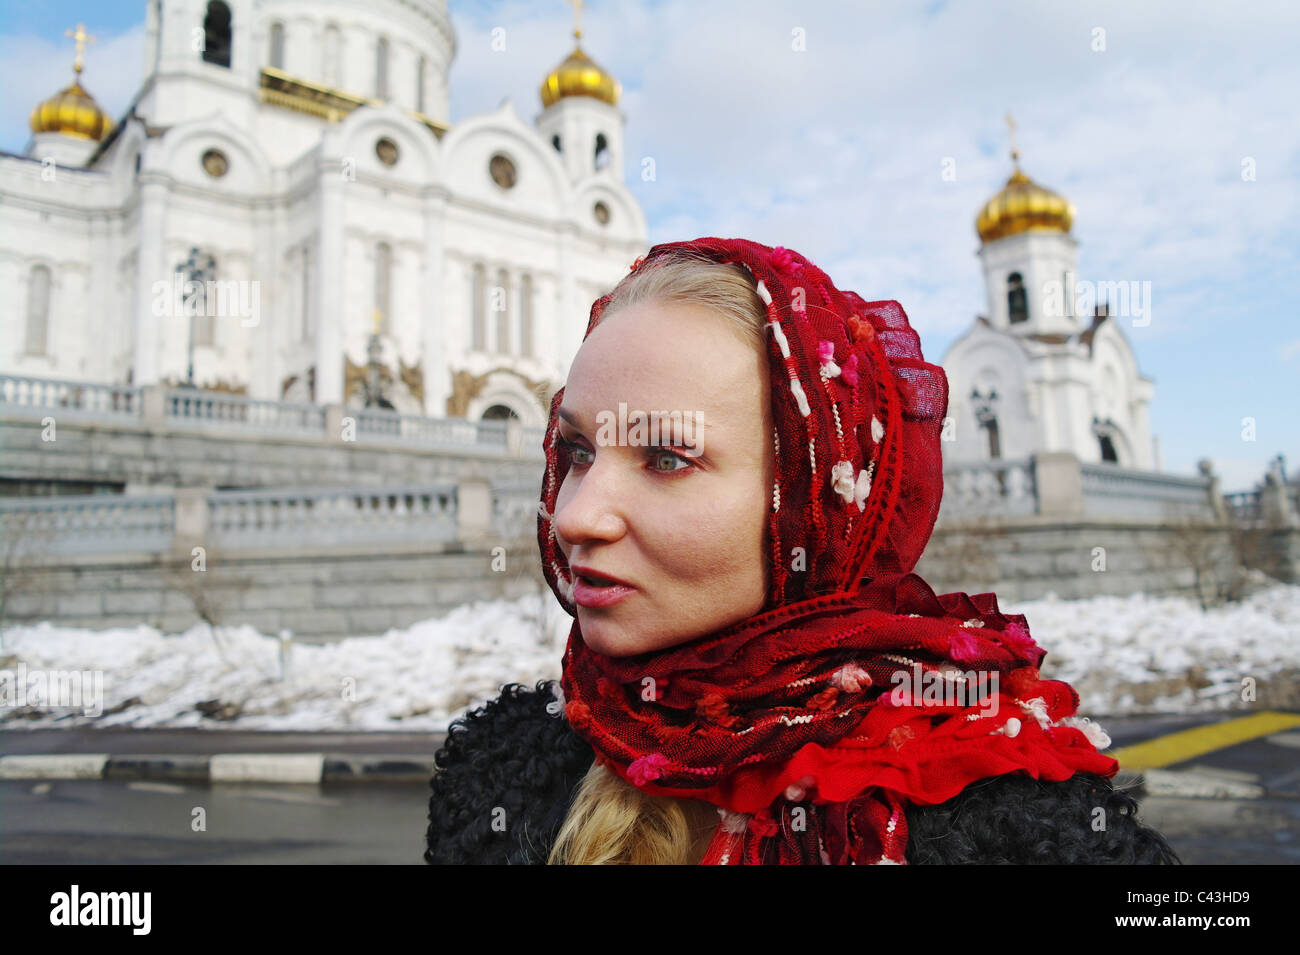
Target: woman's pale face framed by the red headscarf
683, 523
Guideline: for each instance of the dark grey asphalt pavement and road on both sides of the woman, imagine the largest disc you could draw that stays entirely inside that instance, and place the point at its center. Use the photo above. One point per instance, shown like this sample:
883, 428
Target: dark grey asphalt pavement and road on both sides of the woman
98, 822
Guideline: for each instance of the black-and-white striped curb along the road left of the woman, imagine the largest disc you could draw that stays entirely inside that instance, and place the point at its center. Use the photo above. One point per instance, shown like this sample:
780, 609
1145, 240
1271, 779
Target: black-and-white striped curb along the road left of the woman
297, 769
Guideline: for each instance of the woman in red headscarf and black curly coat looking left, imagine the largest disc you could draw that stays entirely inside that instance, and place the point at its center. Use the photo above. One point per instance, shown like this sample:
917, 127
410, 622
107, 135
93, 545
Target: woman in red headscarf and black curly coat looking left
755, 675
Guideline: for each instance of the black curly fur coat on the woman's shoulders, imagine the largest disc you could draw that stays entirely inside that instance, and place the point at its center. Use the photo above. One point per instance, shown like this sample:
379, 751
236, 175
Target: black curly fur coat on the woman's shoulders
509, 771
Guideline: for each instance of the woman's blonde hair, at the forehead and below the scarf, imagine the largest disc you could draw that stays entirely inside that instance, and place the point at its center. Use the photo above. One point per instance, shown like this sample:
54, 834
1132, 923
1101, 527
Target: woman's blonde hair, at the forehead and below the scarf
610, 821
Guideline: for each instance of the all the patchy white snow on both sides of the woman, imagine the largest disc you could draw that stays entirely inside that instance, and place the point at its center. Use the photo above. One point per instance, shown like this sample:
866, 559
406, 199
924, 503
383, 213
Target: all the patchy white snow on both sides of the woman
1125, 656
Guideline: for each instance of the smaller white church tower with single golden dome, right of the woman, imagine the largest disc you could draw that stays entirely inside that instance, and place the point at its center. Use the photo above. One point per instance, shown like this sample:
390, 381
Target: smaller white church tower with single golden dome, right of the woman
1034, 376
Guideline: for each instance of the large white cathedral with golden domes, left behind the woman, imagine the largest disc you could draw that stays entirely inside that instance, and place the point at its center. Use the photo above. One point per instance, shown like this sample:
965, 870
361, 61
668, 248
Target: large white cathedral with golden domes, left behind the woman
285, 207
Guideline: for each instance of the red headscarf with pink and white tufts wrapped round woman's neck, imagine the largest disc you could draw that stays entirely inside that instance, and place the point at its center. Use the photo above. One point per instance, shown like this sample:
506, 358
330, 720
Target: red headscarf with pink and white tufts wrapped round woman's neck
798, 723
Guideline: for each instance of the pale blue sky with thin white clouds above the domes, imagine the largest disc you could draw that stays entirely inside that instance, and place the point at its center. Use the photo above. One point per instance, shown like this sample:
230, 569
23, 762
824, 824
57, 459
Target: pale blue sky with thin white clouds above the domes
1171, 124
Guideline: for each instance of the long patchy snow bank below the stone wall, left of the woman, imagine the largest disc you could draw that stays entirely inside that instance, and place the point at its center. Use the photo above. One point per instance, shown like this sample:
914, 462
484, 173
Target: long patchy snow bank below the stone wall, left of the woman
413, 679
